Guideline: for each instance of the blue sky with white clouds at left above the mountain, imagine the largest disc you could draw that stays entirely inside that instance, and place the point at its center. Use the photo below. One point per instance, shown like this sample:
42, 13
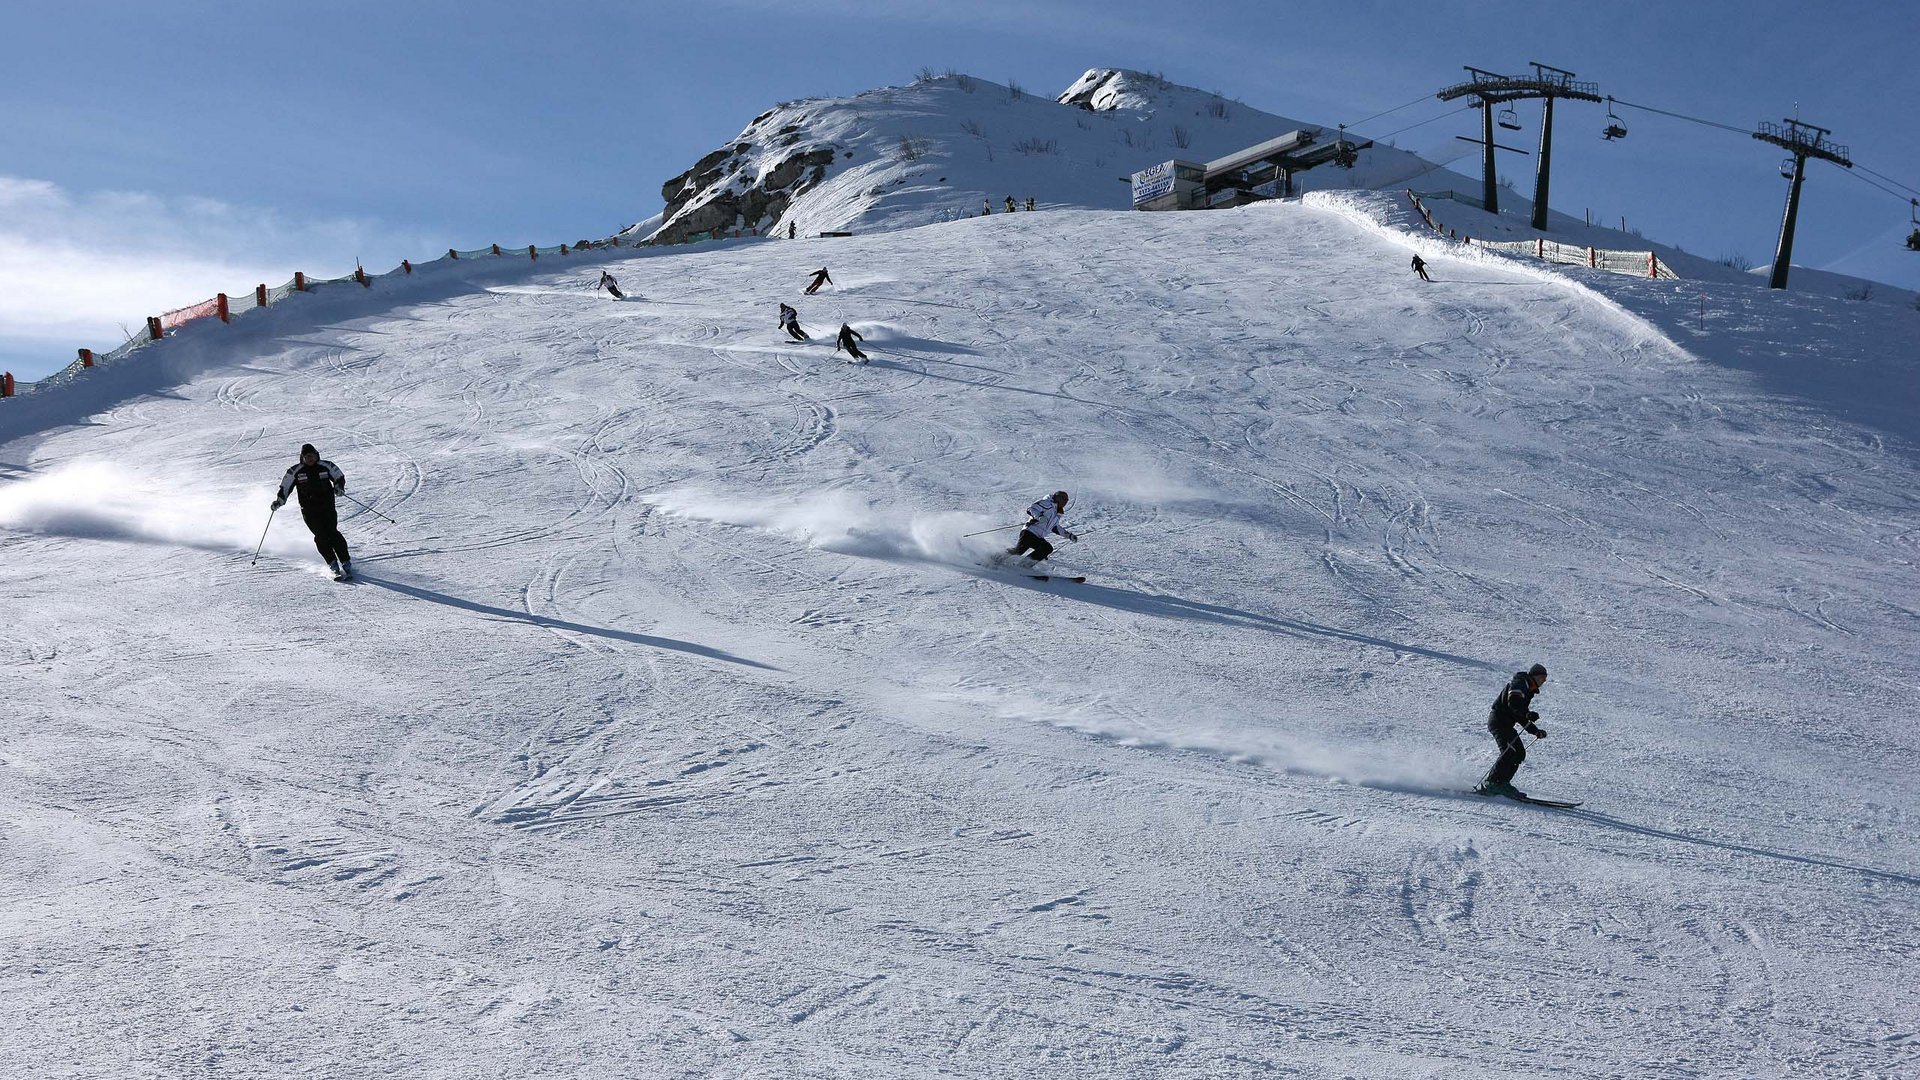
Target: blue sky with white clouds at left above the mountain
158, 153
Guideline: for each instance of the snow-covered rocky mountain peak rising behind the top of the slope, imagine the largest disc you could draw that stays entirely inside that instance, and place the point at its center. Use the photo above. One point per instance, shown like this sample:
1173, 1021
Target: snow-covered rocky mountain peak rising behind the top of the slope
951, 147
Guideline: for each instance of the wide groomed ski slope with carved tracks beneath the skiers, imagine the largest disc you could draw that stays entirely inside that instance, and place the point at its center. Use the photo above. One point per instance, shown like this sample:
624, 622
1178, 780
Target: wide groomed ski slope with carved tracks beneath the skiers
677, 731
